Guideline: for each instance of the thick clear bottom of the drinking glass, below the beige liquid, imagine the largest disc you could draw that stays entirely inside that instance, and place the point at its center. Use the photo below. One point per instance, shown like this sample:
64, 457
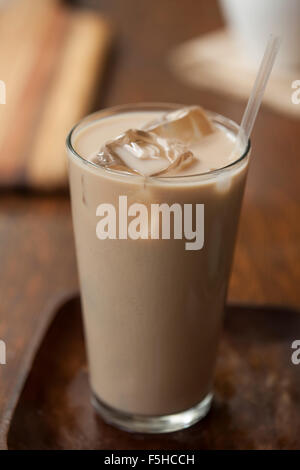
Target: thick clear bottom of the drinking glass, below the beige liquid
153, 424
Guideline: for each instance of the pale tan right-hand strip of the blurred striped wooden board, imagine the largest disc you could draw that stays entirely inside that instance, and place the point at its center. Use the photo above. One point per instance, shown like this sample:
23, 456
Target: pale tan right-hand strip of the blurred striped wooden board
69, 97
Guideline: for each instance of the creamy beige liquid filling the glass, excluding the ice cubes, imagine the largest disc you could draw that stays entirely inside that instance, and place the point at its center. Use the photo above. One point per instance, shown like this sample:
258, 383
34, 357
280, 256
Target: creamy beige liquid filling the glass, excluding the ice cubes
153, 310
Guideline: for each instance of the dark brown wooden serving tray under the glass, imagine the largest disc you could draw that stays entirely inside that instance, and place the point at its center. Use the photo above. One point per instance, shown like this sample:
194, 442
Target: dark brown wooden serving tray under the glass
257, 391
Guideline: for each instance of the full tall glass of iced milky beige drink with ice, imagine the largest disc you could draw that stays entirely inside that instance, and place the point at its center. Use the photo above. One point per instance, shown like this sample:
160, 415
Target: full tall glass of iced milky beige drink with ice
156, 194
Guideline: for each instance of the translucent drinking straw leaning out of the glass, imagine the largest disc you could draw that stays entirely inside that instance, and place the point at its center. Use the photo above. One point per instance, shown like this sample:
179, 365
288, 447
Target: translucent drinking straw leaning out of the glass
258, 89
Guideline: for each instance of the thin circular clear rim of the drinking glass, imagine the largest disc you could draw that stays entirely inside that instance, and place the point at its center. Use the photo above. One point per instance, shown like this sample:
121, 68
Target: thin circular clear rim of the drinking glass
123, 108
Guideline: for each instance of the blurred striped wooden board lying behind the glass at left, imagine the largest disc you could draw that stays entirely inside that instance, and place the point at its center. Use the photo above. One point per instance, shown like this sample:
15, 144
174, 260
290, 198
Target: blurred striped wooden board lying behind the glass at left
52, 57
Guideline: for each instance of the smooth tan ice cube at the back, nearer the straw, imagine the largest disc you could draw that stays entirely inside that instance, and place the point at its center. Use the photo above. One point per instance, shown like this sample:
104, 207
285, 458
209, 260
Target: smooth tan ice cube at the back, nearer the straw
187, 125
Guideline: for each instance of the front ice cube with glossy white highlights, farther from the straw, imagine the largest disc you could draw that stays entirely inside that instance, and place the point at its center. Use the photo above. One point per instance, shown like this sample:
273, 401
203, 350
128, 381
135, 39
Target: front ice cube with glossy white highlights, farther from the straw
143, 152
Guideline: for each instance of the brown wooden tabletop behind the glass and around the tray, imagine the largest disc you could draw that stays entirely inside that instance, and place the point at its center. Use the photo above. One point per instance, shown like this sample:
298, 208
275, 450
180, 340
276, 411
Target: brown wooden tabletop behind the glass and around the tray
36, 244
